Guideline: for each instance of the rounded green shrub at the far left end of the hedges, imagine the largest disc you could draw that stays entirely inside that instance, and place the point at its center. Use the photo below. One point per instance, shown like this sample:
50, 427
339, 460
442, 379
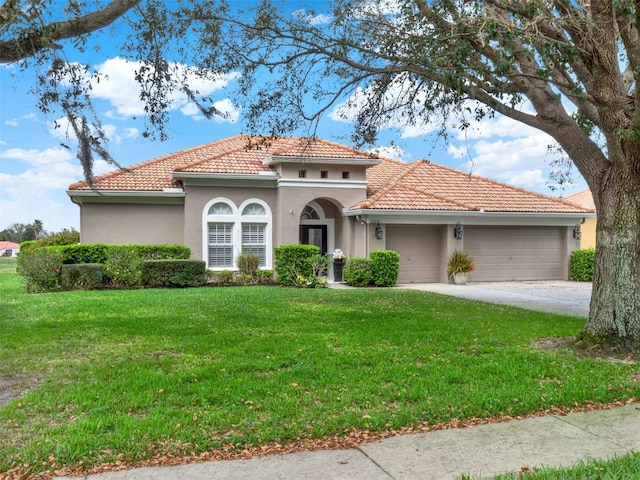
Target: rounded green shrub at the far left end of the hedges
41, 270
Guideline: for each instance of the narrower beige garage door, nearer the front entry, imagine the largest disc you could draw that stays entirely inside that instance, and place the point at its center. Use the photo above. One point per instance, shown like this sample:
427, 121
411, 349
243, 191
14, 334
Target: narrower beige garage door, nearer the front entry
419, 247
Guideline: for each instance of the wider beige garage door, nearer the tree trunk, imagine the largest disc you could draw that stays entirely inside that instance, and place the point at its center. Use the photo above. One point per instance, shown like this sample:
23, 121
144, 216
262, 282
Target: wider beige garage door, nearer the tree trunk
515, 253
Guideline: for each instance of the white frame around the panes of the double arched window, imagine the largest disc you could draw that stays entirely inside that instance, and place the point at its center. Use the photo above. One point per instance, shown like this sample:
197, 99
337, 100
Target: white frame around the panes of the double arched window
237, 219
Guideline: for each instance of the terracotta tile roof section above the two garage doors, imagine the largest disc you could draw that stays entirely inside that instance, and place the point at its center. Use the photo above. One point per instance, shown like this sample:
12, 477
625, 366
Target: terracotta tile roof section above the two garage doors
423, 185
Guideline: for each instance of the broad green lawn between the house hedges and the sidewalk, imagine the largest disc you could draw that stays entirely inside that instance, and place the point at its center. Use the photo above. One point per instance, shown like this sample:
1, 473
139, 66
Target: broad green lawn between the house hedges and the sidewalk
131, 375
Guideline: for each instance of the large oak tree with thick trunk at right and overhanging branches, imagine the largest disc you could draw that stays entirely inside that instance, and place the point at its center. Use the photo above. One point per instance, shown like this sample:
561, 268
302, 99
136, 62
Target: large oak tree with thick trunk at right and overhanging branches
565, 67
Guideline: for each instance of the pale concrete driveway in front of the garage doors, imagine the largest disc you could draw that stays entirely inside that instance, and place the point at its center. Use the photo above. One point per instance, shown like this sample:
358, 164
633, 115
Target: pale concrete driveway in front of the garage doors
563, 297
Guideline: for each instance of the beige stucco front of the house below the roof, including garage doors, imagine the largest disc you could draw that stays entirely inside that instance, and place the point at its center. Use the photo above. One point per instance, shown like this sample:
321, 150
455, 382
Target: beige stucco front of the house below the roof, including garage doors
330, 188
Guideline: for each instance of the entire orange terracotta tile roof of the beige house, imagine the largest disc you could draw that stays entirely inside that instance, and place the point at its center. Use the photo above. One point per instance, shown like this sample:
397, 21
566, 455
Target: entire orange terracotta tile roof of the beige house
391, 185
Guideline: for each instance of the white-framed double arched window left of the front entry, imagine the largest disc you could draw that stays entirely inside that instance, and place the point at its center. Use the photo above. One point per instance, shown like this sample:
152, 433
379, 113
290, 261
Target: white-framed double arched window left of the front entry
230, 231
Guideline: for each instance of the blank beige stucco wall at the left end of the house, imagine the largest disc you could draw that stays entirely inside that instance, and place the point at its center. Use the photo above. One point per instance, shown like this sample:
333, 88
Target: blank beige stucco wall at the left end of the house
131, 223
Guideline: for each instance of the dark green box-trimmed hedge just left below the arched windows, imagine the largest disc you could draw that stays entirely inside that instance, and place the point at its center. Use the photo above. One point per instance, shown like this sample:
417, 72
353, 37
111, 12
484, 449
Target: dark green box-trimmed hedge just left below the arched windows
173, 273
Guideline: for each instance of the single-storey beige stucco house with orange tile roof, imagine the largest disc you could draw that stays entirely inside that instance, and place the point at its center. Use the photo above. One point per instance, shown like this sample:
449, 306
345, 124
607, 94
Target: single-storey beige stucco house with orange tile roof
251, 194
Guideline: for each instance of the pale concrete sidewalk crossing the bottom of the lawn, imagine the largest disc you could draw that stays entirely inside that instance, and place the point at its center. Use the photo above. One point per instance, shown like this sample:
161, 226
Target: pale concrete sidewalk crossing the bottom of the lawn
486, 450
